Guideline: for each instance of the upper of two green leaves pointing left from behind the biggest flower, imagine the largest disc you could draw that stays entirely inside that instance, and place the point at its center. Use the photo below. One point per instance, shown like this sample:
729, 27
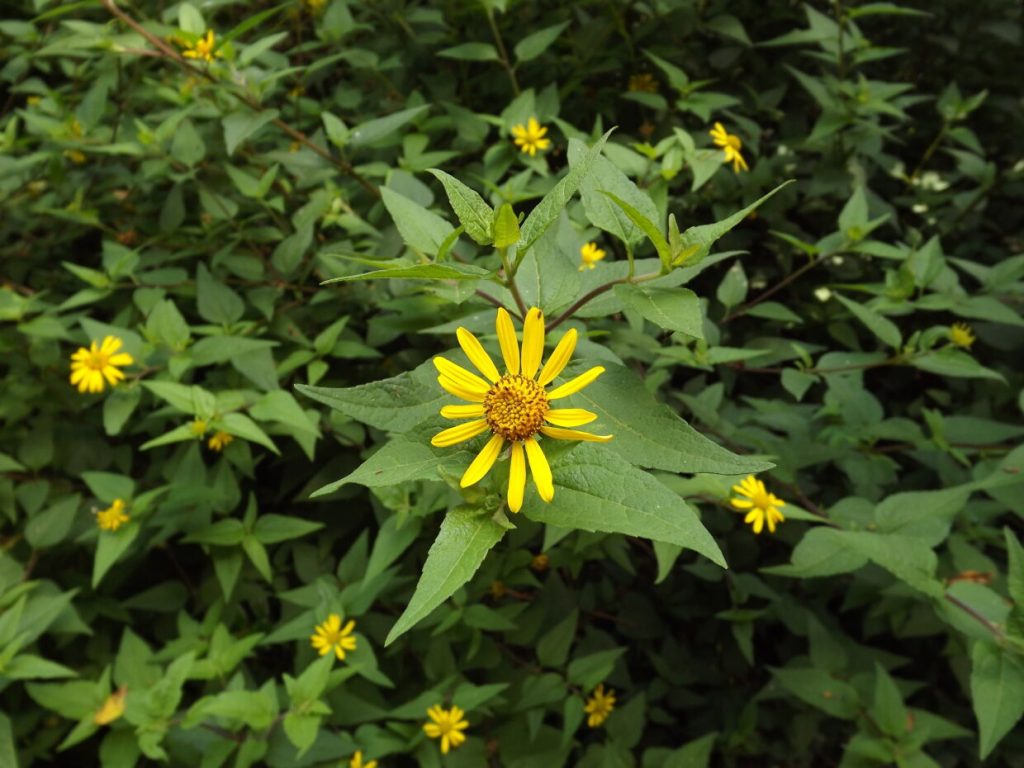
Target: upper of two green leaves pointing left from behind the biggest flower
395, 405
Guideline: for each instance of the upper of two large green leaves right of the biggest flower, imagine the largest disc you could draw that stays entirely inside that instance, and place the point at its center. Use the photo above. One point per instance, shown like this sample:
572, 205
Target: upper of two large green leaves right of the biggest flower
650, 435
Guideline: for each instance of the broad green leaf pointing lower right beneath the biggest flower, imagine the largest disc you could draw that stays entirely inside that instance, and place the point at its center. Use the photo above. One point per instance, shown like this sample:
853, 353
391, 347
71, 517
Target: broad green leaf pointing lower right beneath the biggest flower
596, 490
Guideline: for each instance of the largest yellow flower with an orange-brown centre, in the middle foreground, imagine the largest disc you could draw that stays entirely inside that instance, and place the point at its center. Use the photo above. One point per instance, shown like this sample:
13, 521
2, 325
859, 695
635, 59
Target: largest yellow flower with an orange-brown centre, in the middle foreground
515, 407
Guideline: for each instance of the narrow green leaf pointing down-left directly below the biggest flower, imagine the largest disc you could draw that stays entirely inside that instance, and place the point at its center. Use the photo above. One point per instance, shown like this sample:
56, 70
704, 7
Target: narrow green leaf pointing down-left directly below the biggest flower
464, 540
